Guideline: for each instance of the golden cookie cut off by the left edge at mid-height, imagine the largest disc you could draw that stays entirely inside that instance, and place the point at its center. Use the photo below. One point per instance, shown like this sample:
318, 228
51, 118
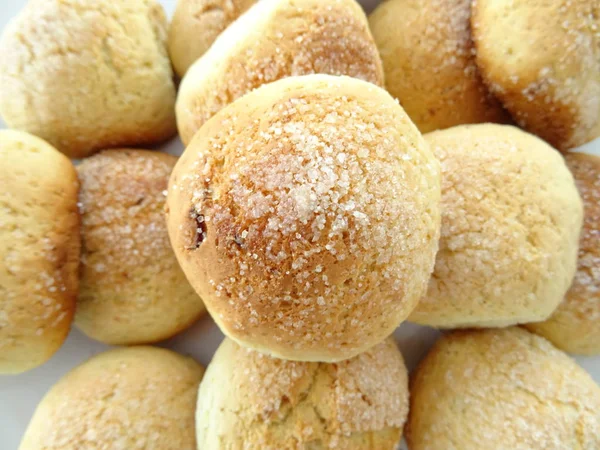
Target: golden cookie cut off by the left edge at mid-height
39, 250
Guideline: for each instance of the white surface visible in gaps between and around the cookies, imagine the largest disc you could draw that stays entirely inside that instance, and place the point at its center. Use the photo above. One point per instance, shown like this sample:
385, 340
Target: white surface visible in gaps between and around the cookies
19, 395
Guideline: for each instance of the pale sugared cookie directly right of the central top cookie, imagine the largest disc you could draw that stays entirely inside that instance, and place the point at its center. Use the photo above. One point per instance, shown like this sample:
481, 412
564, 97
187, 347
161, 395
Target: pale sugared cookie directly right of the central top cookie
511, 217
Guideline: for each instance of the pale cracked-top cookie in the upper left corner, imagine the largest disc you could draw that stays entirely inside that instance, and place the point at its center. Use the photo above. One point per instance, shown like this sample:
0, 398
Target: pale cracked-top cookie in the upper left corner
87, 75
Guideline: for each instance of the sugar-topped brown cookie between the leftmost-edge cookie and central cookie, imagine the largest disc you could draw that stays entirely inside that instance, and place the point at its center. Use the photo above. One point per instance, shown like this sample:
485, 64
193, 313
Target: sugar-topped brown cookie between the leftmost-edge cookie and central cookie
132, 290
